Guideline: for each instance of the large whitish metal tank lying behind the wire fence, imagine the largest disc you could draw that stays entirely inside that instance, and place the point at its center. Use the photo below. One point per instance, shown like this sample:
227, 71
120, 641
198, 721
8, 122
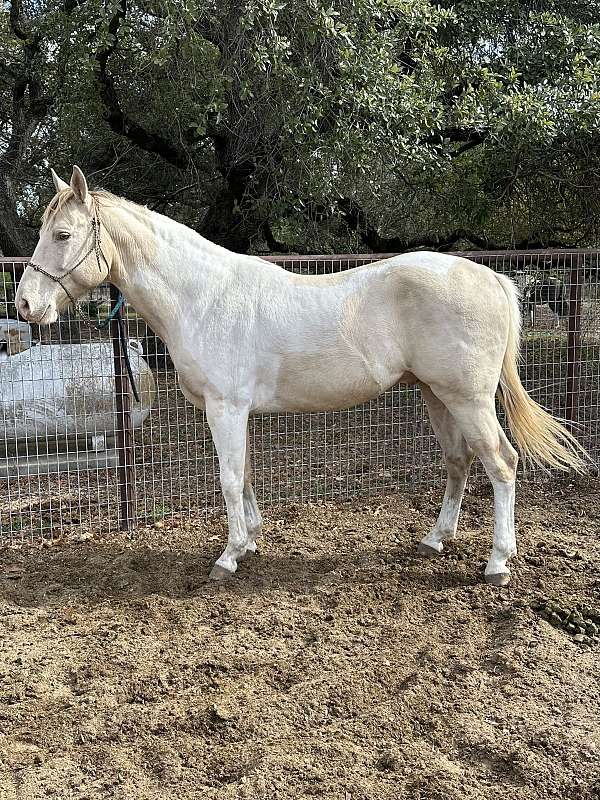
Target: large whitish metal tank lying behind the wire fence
57, 404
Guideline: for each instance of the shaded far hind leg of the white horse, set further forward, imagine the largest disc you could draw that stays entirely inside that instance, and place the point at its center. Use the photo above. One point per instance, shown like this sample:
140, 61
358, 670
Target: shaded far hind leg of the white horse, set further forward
458, 457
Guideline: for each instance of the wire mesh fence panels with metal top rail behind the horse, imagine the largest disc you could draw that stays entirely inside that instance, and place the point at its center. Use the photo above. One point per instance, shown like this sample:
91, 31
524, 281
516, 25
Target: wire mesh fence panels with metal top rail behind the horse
77, 452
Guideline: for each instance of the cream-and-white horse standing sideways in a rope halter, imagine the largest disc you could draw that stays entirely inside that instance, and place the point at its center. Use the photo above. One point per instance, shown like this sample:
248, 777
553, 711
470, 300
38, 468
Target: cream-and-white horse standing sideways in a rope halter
248, 337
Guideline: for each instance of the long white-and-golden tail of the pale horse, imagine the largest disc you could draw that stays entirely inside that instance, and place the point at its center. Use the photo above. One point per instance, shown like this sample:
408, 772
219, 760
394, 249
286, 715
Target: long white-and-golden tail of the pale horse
540, 438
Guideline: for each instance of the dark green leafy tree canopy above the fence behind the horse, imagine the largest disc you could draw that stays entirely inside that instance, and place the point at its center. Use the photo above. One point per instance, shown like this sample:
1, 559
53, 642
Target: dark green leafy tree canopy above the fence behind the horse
310, 125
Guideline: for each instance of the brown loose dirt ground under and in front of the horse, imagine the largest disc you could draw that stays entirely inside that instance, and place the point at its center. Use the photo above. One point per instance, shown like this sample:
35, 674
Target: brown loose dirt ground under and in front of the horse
335, 664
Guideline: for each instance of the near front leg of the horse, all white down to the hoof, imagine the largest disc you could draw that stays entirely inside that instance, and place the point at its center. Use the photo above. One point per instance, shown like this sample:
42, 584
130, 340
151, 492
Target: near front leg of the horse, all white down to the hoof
228, 424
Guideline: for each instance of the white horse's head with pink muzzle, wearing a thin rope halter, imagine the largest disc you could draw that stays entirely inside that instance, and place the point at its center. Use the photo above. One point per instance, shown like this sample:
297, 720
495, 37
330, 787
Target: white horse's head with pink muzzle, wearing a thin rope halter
69, 259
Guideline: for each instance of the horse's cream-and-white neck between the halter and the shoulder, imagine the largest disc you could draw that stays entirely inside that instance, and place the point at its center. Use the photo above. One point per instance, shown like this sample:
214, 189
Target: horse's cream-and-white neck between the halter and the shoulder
165, 270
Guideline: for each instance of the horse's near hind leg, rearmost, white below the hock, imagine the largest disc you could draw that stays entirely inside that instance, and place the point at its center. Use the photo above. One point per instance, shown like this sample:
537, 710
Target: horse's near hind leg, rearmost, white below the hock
477, 420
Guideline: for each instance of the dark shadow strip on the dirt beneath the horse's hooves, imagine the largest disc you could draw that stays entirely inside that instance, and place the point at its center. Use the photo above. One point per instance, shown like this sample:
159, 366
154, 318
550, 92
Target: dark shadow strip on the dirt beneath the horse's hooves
99, 573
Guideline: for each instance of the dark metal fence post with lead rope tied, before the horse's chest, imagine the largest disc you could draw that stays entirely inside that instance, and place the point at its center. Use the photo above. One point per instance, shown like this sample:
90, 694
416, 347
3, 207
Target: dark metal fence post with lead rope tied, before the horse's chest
124, 427
